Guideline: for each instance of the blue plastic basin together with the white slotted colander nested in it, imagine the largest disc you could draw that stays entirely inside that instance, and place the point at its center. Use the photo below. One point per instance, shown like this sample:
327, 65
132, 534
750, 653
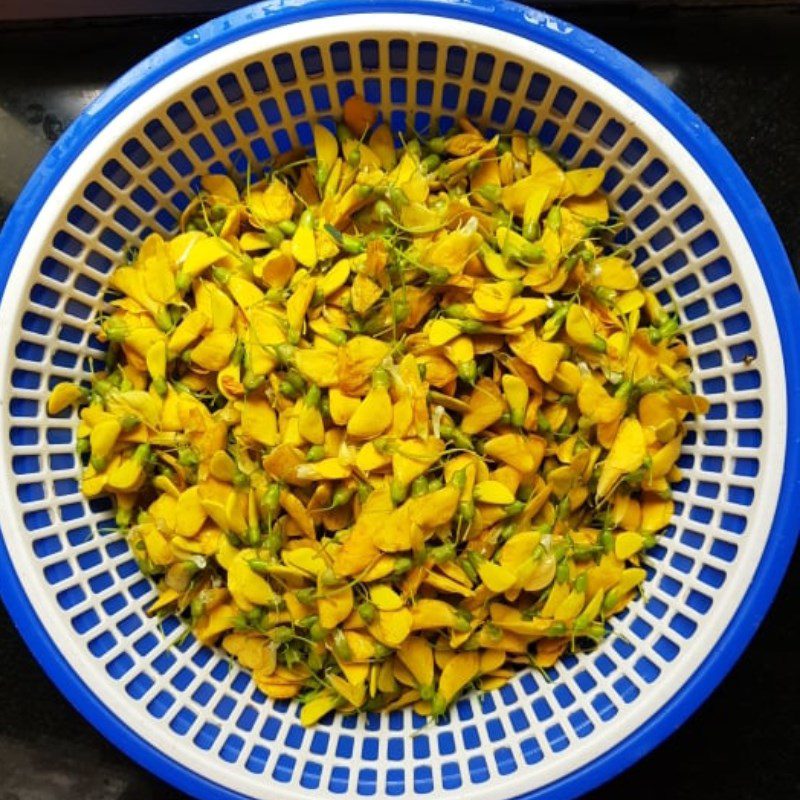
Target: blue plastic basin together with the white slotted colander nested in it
244, 88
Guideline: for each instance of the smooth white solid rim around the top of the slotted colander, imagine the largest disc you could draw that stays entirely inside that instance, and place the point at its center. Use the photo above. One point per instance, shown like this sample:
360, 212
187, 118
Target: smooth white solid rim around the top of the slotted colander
719, 218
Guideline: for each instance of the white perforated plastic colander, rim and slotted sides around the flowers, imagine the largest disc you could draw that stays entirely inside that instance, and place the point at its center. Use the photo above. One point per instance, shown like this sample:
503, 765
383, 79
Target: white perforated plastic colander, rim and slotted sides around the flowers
733, 461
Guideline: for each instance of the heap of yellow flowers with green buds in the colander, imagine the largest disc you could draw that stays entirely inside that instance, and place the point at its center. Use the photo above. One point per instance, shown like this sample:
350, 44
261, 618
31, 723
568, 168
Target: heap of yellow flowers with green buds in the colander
394, 420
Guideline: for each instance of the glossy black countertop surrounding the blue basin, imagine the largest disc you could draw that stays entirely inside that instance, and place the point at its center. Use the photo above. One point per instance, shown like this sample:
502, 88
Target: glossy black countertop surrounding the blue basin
739, 68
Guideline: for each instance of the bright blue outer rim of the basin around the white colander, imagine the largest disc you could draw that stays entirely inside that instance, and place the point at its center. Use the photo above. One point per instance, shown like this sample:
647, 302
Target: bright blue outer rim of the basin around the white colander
646, 90
